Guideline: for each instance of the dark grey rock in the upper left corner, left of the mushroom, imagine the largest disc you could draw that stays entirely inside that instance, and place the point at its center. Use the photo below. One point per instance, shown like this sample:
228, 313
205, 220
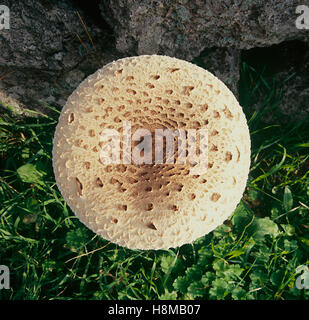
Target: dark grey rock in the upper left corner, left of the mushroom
46, 53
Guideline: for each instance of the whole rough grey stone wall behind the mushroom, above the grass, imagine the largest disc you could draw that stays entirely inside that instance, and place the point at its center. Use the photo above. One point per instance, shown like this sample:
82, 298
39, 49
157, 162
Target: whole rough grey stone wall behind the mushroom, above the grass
47, 52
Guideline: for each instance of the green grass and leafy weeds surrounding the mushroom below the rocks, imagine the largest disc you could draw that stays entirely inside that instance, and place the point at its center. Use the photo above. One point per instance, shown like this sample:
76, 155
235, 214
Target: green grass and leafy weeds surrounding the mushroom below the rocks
254, 255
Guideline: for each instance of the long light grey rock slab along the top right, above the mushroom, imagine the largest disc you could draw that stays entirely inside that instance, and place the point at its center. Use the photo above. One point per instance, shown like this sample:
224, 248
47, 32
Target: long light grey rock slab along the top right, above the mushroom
185, 28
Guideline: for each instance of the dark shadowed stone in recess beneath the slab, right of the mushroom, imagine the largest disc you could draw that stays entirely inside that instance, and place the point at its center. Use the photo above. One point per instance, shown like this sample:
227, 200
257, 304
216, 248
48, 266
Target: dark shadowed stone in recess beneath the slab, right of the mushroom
288, 65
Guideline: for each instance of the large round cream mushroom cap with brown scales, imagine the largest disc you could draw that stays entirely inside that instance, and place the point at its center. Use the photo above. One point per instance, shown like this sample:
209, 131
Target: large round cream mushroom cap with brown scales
151, 205
